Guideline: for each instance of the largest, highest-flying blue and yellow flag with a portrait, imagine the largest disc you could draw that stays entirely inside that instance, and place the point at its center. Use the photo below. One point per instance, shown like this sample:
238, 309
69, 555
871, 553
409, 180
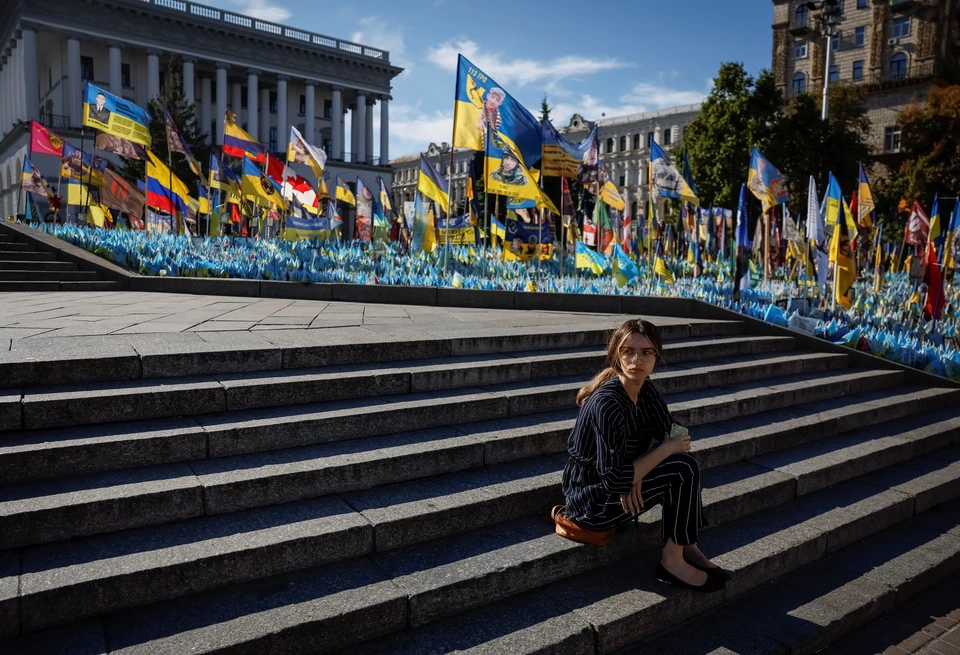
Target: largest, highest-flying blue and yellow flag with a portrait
481, 106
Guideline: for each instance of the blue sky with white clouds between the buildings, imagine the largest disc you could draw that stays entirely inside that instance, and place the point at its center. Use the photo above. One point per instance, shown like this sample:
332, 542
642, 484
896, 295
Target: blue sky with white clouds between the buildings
595, 58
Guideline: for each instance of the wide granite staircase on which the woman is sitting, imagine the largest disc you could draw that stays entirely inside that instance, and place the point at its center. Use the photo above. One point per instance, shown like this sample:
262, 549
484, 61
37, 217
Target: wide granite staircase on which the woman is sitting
219, 503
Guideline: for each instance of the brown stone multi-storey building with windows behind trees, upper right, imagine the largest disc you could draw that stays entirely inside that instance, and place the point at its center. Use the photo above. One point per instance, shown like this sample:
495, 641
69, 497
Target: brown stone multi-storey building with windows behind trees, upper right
896, 49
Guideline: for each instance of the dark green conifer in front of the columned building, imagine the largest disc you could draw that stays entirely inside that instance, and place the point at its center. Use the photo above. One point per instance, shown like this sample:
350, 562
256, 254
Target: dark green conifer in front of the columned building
182, 112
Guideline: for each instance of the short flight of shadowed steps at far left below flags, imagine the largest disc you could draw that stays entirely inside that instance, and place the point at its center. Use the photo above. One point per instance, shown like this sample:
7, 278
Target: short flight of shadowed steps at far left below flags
24, 268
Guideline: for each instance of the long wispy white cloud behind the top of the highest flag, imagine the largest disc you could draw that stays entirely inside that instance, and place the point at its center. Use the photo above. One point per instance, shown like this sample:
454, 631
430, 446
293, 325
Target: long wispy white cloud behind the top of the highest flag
520, 71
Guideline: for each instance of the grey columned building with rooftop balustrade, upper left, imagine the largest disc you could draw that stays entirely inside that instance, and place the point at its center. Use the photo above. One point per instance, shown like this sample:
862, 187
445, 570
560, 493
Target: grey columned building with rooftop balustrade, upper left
272, 76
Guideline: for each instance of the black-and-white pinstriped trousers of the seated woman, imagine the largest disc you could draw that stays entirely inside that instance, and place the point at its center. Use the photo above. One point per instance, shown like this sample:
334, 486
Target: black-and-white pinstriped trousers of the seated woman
674, 484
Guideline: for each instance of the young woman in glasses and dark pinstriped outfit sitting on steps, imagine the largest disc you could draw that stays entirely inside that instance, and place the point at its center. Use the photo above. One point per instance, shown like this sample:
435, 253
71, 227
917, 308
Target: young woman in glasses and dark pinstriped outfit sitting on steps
627, 453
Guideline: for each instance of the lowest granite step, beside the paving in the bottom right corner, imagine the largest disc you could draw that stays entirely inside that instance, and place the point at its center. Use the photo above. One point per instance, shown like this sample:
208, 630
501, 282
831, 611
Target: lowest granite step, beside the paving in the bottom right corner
813, 607
